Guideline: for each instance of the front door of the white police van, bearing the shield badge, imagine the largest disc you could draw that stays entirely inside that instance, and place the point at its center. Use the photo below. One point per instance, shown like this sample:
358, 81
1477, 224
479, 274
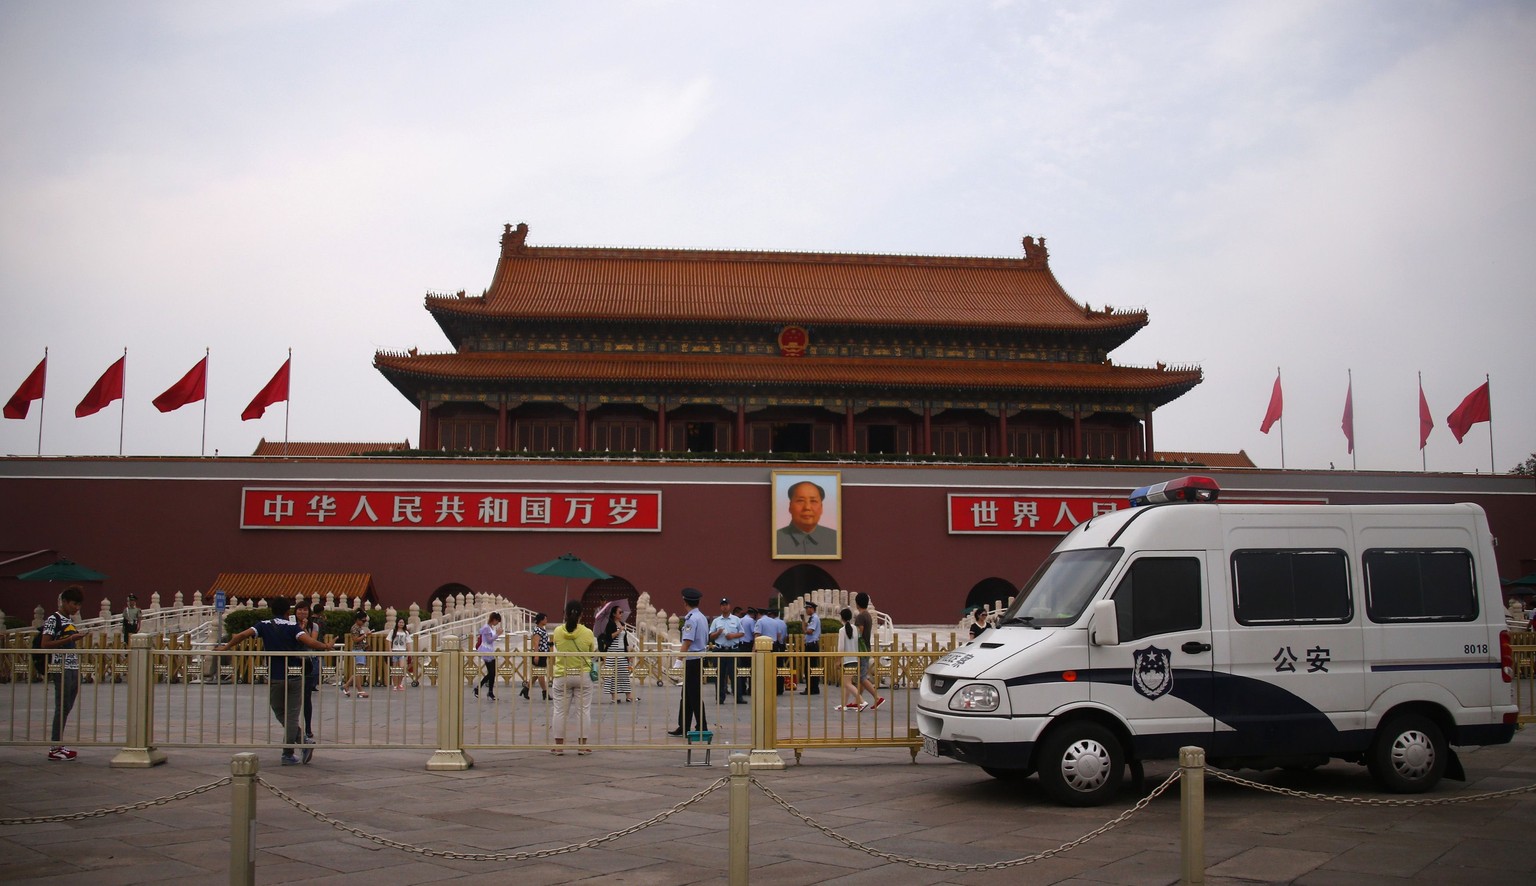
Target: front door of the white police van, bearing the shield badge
1159, 676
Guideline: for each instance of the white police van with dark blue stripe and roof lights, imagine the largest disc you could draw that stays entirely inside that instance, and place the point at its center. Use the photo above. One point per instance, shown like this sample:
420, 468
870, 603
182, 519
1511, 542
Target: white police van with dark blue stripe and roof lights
1270, 635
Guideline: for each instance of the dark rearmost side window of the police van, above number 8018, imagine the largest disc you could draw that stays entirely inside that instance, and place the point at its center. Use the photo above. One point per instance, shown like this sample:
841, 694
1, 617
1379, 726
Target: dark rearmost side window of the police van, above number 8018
1420, 586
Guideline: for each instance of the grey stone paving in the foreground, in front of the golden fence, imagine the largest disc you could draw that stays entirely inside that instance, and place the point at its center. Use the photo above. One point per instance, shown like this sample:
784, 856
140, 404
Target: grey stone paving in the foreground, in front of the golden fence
936, 810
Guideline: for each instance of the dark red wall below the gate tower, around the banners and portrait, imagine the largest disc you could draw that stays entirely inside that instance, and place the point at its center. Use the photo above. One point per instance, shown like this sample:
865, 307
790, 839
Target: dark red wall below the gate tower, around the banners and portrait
167, 526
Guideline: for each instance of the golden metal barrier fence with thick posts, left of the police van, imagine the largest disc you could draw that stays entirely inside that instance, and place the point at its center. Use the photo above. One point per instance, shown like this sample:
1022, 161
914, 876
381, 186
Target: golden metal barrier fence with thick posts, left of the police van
199, 698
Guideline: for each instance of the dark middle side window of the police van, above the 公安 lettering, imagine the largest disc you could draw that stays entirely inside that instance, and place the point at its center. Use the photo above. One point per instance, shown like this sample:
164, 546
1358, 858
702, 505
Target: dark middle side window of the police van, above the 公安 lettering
1288, 587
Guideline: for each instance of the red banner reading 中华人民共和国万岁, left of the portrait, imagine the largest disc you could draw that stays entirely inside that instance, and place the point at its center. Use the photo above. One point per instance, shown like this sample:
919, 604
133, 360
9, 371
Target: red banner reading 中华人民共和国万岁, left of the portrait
495, 511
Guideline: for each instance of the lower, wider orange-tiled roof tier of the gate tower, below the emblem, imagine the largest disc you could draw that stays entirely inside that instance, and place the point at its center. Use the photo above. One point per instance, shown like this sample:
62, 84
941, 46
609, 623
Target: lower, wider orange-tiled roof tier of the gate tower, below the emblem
652, 371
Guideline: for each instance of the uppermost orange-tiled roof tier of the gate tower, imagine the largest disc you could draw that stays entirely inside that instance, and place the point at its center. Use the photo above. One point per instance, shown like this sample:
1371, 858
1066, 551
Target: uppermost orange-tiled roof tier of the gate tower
780, 288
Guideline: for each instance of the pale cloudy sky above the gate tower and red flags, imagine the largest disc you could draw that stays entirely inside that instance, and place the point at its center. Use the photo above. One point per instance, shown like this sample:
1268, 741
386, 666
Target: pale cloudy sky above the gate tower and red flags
1323, 190
